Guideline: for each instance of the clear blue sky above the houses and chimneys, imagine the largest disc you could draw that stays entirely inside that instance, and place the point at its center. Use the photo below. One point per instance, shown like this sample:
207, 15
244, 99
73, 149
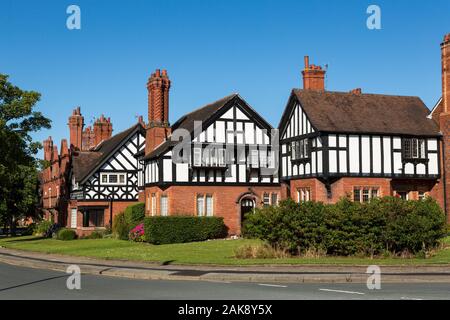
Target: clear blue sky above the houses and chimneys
212, 49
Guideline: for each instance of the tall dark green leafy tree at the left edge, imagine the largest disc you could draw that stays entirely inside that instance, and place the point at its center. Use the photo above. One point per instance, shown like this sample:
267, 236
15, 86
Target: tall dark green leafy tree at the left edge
18, 166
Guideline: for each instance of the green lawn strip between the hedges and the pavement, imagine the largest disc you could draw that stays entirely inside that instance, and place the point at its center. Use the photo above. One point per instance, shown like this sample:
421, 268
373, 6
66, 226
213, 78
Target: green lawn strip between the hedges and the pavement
209, 252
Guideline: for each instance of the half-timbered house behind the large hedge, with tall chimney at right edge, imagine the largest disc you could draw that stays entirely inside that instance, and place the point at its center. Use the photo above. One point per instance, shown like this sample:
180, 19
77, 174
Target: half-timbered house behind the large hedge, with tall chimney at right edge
337, 144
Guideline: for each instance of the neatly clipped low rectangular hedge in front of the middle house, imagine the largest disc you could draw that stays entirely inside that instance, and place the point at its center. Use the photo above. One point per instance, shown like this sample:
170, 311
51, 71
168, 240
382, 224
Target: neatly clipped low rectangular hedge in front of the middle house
180, 229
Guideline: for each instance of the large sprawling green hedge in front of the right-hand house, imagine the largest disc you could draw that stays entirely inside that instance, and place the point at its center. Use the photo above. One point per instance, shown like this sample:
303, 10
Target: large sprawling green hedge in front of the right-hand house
347, 228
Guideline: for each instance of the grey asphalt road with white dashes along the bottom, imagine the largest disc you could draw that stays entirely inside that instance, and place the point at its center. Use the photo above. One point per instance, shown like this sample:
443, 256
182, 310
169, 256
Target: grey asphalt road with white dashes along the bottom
26, 283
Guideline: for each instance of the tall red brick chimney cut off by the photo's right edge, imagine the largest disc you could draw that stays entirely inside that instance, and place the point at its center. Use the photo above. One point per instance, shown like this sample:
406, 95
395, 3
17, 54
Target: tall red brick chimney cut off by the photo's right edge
444, 119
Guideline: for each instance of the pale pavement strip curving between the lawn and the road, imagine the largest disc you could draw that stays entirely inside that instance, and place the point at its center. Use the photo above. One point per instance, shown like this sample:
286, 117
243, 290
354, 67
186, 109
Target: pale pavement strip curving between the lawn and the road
425, 274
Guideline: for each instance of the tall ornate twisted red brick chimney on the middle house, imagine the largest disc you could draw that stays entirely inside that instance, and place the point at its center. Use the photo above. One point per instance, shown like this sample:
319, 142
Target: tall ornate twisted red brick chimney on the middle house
158, 128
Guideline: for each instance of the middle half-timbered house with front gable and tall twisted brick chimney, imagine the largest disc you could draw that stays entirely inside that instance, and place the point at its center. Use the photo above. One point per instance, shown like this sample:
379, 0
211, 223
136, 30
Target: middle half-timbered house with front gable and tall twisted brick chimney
218, 160
